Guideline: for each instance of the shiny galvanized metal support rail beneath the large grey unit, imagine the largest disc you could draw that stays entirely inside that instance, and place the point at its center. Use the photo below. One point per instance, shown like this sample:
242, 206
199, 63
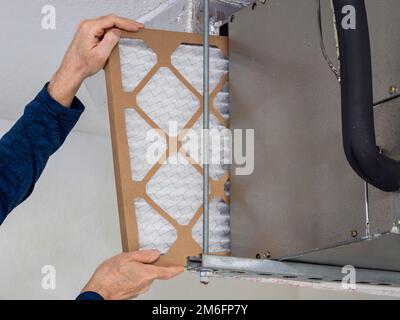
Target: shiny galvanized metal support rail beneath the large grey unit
297, 273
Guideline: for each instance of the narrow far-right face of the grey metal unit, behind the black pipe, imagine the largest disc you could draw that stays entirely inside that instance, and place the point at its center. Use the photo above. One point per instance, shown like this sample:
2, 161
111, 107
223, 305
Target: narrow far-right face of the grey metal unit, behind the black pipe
385, 45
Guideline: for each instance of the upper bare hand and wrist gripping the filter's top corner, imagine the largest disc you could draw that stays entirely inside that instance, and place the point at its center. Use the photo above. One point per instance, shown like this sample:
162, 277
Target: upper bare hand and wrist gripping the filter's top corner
87, 54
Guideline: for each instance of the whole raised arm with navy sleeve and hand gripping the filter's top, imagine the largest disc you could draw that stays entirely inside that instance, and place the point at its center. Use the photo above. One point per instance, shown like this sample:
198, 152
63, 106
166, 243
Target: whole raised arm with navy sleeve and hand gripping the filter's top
25, 150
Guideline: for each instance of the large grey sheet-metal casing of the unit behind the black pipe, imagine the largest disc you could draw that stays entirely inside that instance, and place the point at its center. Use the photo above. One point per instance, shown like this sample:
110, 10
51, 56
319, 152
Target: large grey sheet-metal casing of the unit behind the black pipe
303, 194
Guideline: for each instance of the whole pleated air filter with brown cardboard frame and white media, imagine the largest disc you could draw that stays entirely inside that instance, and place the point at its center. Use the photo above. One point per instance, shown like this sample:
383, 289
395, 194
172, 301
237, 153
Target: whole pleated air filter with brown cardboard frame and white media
154, 82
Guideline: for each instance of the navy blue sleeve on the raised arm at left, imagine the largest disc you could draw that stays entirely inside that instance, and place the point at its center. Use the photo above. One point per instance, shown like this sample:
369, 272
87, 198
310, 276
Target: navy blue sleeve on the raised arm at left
26, 148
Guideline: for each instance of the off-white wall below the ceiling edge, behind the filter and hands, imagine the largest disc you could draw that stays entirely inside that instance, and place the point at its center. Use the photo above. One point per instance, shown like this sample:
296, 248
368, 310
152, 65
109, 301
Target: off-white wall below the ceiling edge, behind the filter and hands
71, 222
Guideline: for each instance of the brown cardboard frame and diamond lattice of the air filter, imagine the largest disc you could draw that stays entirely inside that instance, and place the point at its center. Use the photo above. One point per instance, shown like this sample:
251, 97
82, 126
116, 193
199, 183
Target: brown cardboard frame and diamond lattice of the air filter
163, 44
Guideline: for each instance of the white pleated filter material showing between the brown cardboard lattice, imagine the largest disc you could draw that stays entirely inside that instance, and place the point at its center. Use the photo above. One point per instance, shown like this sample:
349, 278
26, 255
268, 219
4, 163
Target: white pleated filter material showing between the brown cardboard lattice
176, 187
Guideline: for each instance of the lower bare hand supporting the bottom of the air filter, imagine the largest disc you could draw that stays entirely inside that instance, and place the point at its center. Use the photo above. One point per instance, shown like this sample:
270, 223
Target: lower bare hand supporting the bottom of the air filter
128, 275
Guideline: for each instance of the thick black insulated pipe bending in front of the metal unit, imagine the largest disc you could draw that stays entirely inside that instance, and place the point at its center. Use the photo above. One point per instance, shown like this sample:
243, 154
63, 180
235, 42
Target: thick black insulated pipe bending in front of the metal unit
357, 102
